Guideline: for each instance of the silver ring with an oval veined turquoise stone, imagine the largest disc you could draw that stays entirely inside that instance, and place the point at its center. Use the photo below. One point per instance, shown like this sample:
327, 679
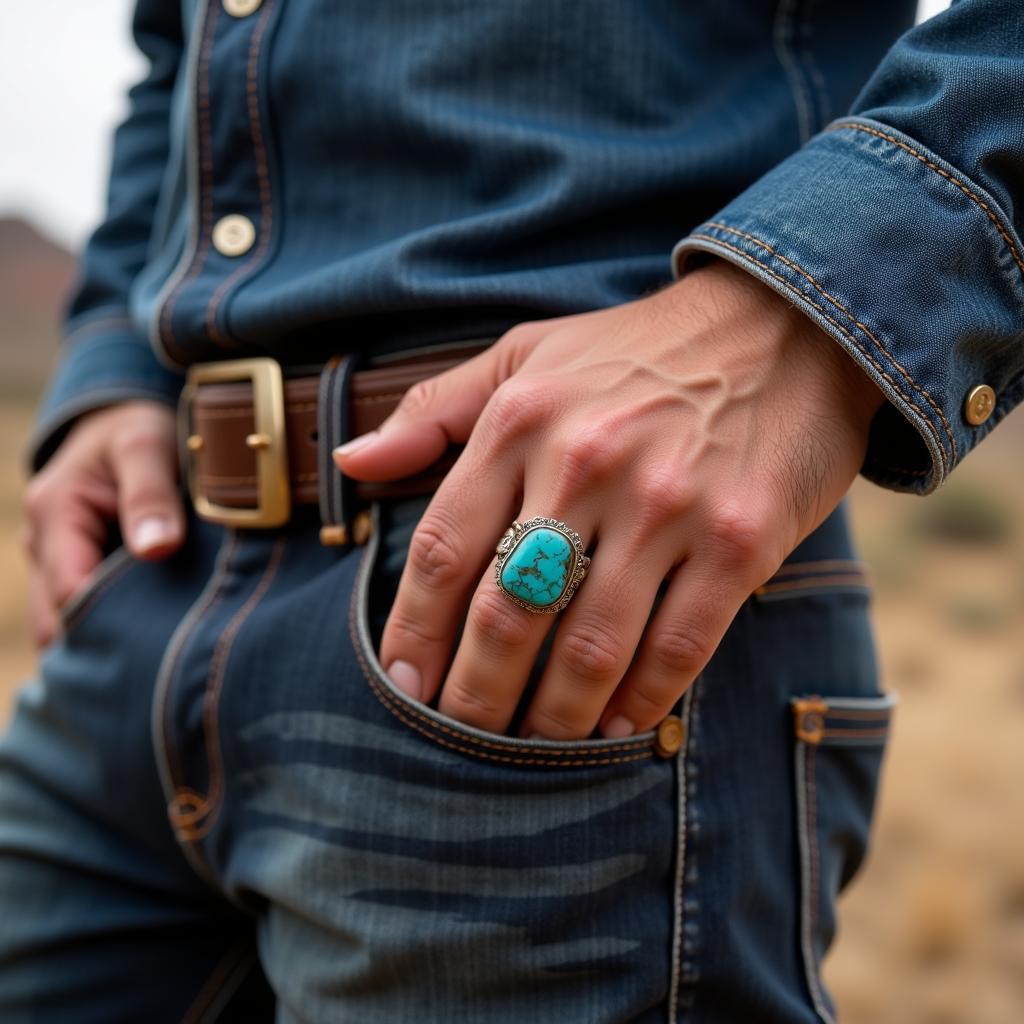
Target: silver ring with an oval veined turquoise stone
540, 565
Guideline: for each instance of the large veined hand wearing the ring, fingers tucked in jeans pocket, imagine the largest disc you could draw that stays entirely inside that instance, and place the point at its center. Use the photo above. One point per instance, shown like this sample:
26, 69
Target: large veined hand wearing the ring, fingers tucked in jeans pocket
698, 435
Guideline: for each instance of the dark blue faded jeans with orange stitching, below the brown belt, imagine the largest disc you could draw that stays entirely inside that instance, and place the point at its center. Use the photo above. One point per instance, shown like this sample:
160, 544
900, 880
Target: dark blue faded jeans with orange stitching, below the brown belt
216, 806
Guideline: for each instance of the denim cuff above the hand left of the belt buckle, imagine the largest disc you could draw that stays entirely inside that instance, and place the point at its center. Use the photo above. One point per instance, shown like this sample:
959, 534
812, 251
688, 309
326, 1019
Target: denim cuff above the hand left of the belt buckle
104, 362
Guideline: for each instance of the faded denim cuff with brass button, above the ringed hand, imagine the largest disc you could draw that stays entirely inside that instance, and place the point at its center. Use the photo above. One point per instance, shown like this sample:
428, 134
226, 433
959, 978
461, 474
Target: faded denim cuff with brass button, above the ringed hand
906, 263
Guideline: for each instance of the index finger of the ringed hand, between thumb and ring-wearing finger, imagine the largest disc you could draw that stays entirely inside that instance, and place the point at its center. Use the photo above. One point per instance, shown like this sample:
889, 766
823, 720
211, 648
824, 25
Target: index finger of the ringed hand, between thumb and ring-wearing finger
451, 547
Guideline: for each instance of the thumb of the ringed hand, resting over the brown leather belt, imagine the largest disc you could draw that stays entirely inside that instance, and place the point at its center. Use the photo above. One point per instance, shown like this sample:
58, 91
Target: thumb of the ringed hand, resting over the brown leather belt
433, 414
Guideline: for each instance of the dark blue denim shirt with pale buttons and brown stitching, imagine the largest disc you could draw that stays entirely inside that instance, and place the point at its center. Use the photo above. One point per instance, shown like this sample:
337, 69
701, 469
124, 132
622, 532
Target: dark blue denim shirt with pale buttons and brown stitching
400, 173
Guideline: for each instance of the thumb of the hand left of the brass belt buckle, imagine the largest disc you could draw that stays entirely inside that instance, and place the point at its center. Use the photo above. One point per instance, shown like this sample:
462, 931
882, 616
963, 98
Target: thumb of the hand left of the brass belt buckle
150, 508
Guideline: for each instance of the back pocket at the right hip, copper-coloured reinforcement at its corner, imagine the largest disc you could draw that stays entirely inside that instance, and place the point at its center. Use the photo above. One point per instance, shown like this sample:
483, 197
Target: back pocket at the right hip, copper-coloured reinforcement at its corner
839, 749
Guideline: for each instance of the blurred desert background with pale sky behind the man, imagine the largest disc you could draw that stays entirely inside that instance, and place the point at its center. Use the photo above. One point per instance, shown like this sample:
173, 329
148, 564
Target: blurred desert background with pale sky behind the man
932, 932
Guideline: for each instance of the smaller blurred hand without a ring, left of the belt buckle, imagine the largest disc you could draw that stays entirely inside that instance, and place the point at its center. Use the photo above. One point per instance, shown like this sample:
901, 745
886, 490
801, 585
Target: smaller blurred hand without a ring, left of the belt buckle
116, 463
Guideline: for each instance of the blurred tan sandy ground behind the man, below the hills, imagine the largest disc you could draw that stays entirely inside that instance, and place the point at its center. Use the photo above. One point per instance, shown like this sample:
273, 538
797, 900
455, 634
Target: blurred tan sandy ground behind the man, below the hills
933, 930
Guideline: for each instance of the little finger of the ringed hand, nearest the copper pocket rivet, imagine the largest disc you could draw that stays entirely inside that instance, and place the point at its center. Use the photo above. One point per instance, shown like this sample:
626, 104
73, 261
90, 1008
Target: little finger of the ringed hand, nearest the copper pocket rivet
699, 607
